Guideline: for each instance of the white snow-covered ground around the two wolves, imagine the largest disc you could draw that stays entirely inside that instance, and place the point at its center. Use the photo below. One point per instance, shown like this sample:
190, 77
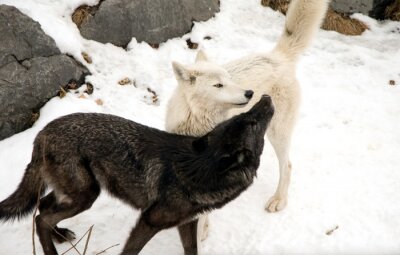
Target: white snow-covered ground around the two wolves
345, 151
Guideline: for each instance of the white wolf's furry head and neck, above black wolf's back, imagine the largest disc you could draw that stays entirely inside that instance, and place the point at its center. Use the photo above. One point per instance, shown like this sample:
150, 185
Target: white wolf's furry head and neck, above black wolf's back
189, 108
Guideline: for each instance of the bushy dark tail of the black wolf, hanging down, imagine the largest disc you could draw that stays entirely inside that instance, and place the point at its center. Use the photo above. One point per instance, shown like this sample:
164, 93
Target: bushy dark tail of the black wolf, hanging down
23, 200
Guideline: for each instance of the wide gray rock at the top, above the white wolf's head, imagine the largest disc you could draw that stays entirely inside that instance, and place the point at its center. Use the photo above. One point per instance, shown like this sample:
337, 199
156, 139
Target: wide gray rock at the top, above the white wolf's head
155, 21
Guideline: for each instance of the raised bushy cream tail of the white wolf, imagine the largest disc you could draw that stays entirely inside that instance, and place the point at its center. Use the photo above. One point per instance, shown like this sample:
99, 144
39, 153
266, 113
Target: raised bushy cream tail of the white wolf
303, 19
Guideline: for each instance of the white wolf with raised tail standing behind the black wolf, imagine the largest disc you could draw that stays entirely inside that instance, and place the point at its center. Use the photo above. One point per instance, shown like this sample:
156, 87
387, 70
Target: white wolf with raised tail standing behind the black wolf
208, 93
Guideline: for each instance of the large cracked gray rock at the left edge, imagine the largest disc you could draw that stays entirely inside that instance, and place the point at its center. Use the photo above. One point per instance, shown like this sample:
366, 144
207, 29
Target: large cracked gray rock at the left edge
32, 69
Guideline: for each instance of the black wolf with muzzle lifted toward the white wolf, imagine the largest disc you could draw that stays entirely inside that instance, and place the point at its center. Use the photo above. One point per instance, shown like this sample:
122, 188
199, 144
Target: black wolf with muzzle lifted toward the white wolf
171, 178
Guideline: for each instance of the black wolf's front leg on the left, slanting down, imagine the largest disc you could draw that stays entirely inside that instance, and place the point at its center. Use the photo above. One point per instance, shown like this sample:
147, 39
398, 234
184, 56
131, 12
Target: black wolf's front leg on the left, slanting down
140, 235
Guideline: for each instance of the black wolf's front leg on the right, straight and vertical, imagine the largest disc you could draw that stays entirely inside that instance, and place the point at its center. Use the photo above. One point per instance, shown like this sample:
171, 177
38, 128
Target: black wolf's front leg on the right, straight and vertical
188, 234
